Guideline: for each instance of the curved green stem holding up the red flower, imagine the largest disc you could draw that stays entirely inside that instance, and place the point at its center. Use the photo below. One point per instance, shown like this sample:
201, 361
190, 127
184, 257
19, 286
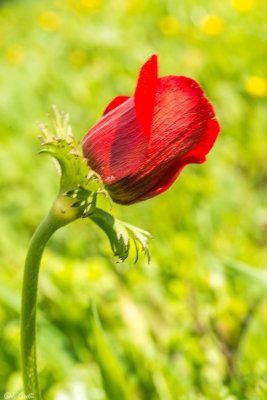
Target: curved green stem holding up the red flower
60, 215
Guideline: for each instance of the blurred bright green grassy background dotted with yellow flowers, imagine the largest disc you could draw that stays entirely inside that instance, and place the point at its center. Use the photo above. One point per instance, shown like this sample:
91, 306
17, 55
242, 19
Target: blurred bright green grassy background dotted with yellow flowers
193, 323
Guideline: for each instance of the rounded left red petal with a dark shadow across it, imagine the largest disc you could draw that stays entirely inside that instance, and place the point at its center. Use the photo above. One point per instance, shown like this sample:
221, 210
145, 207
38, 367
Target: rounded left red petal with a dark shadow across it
116, 146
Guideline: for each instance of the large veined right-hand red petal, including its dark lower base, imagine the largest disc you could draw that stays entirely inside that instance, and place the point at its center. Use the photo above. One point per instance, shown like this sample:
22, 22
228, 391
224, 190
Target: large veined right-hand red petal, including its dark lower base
183, 131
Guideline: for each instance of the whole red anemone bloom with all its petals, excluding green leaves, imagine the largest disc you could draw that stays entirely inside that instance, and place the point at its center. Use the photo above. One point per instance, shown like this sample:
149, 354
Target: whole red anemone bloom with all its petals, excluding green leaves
142, 142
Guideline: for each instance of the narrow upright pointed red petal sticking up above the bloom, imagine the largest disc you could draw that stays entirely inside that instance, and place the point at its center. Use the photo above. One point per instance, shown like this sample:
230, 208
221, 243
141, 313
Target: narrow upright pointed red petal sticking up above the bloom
145, 94
